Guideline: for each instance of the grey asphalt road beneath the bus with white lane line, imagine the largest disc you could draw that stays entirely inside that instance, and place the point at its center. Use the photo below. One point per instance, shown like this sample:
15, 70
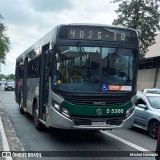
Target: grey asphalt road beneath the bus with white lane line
113, 143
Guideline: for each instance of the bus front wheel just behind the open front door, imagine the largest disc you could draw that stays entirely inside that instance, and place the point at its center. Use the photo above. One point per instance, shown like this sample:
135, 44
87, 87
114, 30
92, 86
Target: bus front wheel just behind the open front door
39, 126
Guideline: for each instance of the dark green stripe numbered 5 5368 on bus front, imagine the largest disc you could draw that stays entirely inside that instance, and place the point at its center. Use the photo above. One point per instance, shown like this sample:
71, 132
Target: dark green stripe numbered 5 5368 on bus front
84, 110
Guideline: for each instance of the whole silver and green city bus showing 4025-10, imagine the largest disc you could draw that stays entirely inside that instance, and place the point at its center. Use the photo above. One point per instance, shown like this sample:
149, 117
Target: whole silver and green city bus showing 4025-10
79, 76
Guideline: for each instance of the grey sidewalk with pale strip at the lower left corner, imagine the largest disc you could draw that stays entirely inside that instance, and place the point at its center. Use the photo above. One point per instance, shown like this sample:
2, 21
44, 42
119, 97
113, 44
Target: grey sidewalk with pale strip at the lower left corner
9, 140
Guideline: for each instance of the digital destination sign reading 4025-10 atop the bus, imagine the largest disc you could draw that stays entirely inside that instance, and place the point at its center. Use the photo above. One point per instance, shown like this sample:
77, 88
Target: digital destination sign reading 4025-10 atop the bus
95, 33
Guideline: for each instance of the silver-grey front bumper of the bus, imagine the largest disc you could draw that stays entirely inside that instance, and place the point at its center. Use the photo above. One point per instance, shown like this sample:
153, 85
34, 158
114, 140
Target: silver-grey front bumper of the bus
57, 120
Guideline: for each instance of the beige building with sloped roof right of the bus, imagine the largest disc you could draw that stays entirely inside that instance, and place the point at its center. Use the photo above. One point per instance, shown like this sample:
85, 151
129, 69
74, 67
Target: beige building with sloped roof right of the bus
149, 68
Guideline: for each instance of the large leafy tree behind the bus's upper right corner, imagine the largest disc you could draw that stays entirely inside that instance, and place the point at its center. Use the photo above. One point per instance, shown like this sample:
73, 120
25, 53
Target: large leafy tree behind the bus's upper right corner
141, 15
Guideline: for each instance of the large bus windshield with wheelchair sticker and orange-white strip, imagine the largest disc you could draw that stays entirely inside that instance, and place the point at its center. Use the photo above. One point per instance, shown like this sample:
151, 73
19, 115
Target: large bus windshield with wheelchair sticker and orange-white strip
99, 69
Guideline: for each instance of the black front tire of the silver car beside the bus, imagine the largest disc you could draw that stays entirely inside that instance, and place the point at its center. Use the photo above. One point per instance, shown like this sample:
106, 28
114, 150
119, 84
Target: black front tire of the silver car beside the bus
153, 129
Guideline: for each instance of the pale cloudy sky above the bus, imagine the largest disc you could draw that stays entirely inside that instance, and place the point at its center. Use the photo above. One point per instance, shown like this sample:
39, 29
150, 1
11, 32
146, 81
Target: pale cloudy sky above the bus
29, 20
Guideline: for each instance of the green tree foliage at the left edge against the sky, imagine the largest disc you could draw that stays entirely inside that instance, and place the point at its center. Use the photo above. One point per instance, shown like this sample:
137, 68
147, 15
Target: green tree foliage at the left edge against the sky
4, 42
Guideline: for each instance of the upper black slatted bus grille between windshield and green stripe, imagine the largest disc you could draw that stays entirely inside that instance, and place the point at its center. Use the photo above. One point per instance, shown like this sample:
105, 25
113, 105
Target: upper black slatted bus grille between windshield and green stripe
98, 101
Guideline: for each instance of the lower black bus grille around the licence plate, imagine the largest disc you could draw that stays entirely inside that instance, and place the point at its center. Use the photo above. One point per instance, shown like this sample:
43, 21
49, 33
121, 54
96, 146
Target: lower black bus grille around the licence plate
88, 121
